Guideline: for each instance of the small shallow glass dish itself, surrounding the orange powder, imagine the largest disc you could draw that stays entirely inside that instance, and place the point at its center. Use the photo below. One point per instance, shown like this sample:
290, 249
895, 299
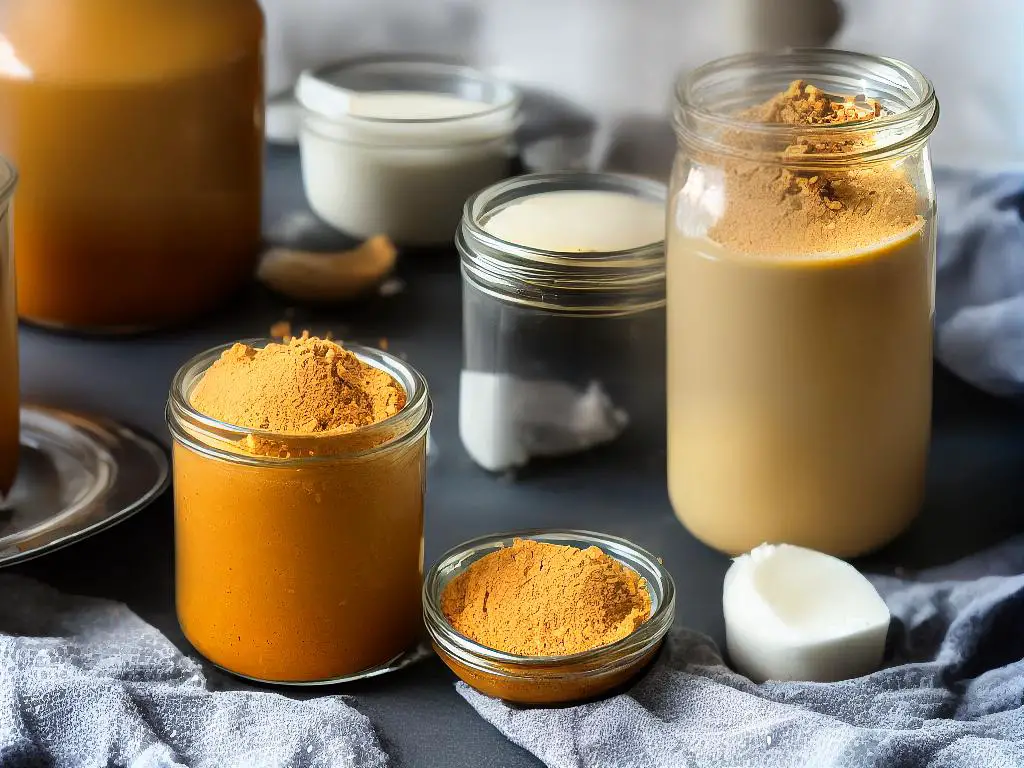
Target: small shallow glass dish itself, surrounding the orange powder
550, 680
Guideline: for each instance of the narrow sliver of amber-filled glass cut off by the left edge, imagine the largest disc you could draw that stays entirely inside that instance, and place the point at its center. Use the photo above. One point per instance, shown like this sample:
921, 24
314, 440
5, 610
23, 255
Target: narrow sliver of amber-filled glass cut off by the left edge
10, 408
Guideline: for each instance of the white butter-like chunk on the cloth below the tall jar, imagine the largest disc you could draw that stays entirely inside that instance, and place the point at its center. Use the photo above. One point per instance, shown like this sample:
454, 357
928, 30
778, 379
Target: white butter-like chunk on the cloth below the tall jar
794, 614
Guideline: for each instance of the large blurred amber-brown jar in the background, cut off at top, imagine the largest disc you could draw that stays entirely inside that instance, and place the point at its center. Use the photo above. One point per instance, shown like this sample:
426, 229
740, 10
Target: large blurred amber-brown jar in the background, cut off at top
138, 129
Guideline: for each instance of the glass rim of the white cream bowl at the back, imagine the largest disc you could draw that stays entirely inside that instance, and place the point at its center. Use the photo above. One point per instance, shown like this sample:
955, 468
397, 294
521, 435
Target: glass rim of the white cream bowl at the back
320, 76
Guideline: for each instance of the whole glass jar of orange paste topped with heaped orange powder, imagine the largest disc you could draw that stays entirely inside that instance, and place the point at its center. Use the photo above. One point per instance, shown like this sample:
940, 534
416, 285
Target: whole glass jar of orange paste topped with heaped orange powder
300, 478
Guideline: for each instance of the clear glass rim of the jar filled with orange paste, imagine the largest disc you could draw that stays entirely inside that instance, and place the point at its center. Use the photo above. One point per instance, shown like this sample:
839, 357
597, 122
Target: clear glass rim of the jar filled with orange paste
416, 413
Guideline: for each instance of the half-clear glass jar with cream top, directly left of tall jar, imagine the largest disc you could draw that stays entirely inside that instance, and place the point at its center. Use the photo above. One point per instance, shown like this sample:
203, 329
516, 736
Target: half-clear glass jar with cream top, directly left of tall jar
564, 320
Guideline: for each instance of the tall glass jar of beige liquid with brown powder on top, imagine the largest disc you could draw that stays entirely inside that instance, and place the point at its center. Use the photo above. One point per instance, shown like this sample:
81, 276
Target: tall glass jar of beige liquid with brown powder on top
801, 268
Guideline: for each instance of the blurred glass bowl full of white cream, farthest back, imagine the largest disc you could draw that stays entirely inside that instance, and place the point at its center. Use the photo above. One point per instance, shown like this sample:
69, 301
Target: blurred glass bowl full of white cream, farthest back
395, 147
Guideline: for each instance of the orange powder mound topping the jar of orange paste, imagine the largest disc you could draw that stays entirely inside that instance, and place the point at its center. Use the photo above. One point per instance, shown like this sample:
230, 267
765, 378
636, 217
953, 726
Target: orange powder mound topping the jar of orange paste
306, 386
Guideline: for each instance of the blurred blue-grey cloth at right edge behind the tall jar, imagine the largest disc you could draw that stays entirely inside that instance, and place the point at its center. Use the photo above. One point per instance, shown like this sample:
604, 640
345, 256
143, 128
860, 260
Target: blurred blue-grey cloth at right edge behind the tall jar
980, 280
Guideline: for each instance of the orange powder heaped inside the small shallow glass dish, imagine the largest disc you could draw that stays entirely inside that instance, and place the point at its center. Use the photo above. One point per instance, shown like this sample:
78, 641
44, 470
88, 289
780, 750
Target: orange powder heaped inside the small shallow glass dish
538, 600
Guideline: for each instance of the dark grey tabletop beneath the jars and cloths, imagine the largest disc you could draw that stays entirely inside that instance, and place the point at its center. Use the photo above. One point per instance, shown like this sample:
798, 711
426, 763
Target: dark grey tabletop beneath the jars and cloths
976, 482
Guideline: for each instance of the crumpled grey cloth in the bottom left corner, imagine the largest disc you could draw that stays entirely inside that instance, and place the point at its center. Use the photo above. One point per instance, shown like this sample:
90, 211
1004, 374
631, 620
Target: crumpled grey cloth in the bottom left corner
86, 684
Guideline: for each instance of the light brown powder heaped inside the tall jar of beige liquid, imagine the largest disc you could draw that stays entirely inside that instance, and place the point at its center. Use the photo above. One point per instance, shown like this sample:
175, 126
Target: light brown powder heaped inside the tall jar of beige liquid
775, 210
